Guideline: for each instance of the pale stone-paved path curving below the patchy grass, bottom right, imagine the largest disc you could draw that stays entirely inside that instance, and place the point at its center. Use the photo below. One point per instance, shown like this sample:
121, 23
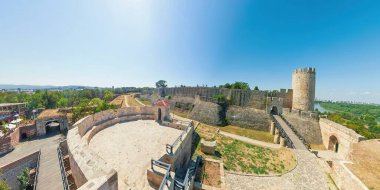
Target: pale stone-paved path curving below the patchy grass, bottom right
307, 175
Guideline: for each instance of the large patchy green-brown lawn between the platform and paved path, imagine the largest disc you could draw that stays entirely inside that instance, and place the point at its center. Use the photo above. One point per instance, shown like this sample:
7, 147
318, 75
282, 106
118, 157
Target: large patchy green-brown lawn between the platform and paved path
245, 158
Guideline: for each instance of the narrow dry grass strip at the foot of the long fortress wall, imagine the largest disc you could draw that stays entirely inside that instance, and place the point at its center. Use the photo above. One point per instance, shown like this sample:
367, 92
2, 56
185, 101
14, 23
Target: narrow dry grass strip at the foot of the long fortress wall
250, 133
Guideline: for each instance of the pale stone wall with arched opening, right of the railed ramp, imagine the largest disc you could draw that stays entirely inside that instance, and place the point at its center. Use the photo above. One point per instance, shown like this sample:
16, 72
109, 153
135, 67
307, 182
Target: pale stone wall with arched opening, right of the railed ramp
345, 137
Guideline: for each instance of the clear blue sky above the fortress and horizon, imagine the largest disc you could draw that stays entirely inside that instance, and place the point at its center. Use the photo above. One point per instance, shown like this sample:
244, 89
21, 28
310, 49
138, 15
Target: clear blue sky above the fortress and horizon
136, 43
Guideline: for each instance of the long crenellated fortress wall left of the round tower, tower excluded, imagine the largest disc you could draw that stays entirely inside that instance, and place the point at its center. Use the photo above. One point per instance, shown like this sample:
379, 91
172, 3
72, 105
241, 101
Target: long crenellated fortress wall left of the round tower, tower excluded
247, 108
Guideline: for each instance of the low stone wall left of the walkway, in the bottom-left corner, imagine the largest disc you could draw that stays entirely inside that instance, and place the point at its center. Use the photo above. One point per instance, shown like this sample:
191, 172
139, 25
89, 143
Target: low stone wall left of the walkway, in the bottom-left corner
11, 170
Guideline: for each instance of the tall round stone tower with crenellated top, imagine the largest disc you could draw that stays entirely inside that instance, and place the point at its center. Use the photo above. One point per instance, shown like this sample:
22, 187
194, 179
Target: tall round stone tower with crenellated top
303, 82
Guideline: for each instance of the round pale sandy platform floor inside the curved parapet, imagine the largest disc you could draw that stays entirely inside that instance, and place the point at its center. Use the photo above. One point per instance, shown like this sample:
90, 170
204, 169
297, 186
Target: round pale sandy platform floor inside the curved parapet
129, 147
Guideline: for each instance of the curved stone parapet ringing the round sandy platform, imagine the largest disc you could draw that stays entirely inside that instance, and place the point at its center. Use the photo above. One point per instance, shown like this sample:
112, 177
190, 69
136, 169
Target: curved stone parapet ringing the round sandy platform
89, 170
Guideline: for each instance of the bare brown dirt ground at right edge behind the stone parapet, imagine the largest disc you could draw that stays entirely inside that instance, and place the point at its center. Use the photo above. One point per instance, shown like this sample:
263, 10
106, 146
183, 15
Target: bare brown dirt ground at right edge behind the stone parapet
366, 159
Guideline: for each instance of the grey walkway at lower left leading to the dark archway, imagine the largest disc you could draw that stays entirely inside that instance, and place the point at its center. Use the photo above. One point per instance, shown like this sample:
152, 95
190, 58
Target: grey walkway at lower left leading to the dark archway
49, 176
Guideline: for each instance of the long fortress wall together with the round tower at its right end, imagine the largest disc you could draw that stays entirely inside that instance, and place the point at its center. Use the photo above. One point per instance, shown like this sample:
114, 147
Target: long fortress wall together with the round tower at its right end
250, 108
